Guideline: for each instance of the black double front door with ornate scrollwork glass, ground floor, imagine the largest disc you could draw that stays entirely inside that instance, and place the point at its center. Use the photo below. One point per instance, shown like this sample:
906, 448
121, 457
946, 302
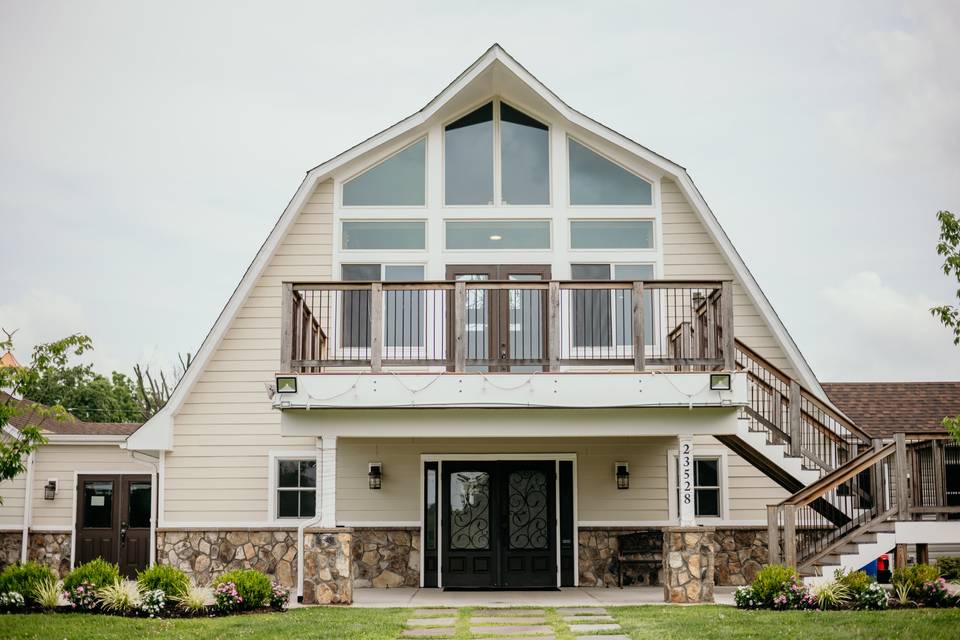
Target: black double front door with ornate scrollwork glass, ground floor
499, 525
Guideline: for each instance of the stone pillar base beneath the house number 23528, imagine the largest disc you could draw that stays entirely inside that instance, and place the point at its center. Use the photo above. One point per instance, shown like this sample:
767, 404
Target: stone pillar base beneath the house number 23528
688, 567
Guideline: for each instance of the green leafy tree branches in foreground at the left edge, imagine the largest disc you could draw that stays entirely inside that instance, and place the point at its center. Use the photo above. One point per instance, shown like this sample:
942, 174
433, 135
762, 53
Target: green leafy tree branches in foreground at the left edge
14, 448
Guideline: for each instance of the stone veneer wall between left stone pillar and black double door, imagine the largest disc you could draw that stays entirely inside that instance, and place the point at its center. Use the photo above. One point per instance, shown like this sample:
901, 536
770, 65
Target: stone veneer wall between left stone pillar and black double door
385, 558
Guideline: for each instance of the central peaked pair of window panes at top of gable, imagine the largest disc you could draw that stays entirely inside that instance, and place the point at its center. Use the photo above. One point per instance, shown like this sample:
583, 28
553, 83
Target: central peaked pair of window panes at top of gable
471, 177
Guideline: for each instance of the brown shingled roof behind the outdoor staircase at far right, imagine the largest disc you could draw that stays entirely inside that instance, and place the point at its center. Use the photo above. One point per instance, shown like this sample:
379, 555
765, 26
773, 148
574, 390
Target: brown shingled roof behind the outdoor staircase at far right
884, 408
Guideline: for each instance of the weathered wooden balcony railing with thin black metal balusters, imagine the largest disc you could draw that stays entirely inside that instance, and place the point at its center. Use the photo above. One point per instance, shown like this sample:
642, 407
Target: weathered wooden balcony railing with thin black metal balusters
517, 325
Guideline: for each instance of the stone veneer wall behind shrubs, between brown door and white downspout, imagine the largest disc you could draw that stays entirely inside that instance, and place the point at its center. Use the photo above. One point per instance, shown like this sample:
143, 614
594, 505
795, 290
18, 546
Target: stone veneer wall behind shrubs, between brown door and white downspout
205, 554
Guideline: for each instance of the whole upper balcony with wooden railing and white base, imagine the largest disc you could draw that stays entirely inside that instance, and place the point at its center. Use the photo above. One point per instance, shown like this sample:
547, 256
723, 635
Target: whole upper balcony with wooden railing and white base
529, 343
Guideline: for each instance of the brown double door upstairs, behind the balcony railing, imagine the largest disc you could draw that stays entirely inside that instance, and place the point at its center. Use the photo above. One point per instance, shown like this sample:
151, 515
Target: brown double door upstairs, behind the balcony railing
505, 325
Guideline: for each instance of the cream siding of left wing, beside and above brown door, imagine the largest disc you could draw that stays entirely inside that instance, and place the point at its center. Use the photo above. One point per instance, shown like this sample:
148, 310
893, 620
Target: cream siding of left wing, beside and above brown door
61, 461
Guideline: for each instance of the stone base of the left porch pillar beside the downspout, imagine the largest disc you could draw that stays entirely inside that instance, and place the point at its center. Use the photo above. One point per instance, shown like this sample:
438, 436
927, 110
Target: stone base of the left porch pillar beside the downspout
327, 566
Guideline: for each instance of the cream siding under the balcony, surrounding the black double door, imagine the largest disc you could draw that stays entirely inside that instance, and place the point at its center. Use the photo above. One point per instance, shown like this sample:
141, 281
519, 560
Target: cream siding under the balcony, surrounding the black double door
597, 495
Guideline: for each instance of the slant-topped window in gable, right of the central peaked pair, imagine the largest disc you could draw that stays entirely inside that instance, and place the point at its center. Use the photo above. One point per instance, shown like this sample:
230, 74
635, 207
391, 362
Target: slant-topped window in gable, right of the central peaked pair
596, 181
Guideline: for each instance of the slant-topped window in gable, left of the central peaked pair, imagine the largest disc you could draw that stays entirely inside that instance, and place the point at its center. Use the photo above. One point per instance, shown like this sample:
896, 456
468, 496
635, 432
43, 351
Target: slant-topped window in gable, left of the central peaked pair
398, 181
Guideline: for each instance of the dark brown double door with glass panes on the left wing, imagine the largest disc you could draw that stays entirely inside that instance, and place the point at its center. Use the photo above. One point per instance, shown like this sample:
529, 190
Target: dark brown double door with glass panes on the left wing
113, 520
